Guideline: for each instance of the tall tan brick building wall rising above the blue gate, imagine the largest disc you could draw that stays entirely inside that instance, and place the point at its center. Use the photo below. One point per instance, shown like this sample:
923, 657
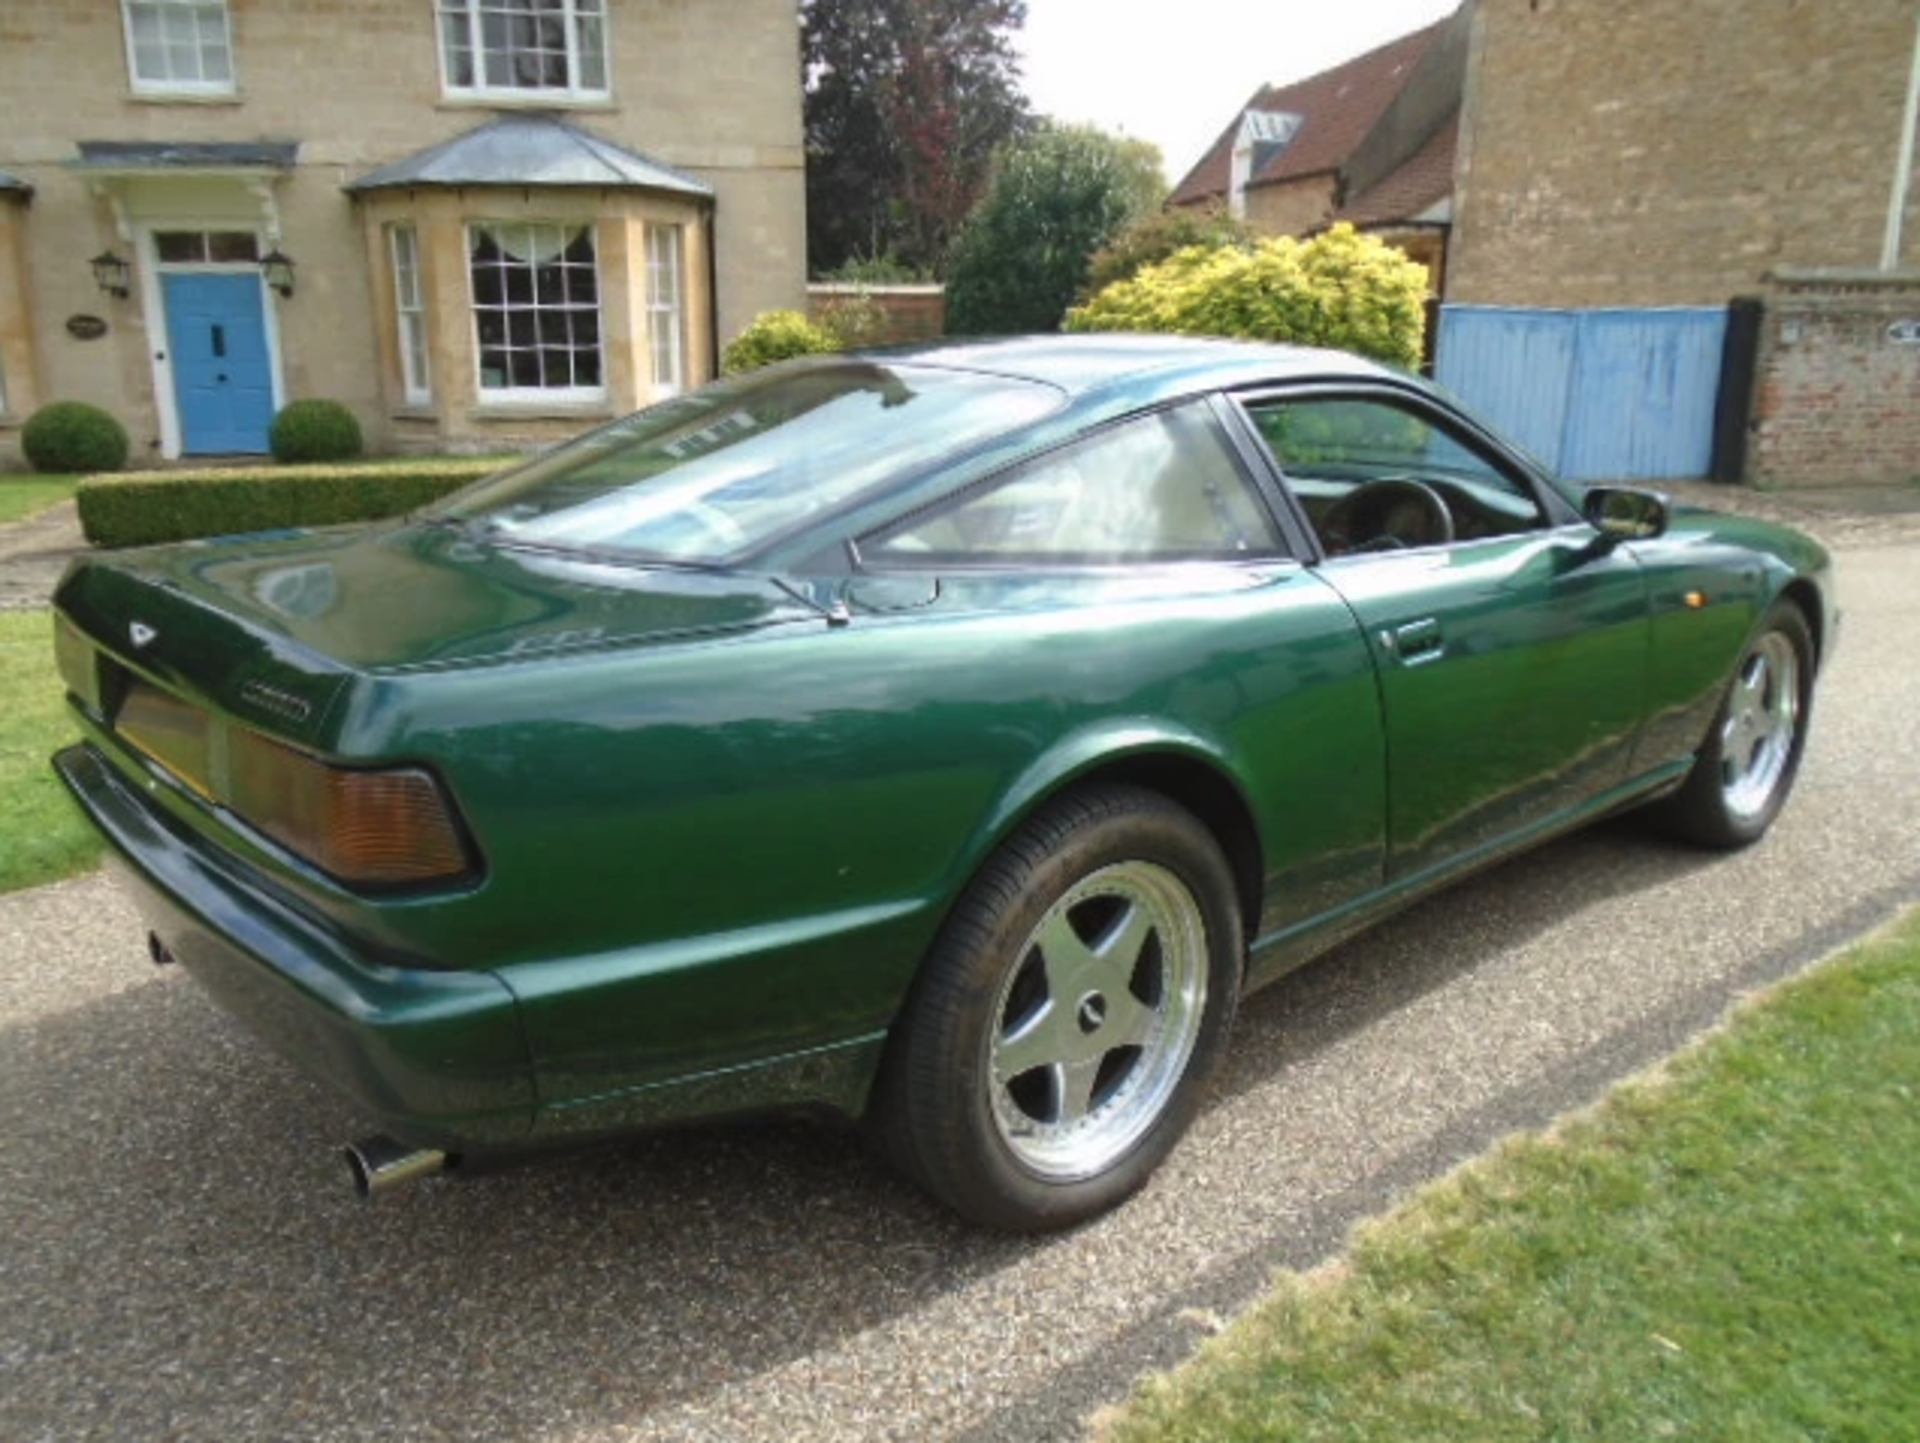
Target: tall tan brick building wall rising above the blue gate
1673, 153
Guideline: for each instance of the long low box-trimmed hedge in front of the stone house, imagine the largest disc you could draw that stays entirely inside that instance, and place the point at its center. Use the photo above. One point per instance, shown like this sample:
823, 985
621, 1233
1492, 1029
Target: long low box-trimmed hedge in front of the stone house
137, 509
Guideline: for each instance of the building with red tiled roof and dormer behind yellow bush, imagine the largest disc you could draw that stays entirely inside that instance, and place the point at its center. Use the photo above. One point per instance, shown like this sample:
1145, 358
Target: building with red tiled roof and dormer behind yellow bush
1370, 141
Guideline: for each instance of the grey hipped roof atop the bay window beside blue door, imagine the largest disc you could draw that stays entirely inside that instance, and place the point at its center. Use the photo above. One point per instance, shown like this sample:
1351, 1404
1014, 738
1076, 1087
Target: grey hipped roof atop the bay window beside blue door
531, 151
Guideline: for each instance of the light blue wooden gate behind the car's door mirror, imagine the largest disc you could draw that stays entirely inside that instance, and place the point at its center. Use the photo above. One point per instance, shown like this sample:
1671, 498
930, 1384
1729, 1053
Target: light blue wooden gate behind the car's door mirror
1596, 394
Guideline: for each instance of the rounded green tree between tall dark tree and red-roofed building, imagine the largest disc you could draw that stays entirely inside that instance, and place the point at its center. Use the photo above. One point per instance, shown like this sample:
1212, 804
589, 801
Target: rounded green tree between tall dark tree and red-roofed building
1057, 199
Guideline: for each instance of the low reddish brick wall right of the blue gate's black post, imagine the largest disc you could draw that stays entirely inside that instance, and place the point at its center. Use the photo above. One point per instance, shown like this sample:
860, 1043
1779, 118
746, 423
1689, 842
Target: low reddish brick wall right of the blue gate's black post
1838, 381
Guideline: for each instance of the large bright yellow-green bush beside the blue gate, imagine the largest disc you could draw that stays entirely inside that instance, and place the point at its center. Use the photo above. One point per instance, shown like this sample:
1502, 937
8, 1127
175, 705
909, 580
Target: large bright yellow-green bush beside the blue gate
1343, 291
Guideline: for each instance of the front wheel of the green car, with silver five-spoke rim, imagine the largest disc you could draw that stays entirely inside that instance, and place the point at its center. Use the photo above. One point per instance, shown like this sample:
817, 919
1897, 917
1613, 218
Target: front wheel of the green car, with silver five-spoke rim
1752, 753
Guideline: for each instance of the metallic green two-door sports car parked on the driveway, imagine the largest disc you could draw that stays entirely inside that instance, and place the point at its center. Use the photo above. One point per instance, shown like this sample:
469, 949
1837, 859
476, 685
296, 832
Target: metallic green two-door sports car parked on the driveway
942, 738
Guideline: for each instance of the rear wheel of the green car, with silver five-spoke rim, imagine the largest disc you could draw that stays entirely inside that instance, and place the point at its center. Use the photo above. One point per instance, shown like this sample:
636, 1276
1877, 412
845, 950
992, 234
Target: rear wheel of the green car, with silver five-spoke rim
1063, 1029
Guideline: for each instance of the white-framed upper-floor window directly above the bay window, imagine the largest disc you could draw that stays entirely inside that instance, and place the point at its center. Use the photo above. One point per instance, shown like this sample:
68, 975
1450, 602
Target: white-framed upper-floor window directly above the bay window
539, 49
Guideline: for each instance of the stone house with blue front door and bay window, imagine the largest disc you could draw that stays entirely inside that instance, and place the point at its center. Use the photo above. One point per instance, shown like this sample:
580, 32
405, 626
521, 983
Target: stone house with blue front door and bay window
479, 224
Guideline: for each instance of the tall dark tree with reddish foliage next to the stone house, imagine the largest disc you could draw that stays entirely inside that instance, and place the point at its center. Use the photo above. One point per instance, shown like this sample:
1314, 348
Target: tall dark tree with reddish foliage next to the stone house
905, 106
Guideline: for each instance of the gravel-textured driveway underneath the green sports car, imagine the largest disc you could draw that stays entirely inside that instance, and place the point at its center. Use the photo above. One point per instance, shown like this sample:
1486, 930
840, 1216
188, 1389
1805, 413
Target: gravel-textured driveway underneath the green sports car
183, 1260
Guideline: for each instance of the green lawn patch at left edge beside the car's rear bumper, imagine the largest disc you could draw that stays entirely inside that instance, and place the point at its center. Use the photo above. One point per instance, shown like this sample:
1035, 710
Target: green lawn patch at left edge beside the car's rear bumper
43, 836
